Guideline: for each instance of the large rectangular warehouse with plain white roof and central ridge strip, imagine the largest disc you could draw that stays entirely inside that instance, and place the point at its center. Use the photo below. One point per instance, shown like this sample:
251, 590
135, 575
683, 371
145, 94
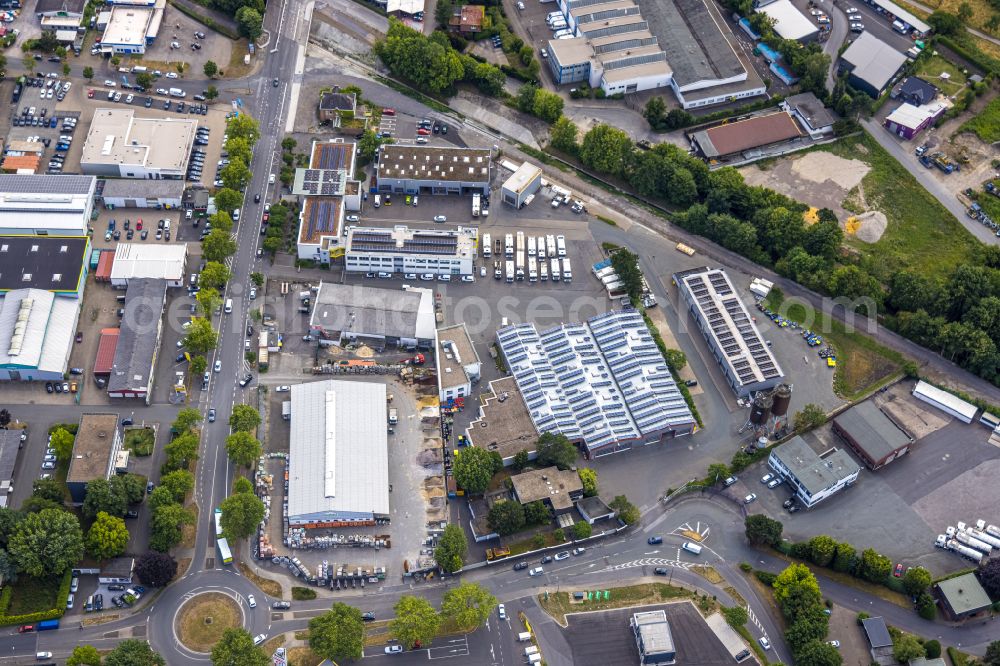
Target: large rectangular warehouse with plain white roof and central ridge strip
338, 465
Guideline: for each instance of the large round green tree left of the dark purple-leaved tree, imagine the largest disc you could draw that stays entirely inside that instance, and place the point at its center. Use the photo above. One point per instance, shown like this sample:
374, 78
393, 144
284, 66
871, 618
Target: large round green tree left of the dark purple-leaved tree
46, 543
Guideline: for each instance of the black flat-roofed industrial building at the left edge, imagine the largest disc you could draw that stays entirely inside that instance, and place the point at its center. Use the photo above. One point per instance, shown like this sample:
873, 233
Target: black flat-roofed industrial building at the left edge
52, 263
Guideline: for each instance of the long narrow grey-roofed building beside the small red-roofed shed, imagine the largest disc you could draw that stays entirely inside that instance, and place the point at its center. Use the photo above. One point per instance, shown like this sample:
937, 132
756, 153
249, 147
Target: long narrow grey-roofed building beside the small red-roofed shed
131, 374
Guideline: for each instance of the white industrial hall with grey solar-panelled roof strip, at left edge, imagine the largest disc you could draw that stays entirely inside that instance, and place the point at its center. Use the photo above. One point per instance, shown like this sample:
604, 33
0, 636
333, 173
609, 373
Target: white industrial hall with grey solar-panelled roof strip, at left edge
46, 205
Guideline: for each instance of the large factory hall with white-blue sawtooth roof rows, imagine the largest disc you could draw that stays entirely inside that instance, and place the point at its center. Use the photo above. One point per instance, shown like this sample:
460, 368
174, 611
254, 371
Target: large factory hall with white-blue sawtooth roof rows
603, 384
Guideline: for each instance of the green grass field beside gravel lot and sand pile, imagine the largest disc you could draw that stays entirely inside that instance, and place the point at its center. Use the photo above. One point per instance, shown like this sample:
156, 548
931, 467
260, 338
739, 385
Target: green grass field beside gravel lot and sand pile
921, 234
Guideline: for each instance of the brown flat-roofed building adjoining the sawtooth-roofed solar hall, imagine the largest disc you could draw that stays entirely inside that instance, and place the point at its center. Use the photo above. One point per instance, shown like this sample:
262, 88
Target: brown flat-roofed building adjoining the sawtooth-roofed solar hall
504, 424
